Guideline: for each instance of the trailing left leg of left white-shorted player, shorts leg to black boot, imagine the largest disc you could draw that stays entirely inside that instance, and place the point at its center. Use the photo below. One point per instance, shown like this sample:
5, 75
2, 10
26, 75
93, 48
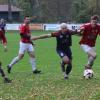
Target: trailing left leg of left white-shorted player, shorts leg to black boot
18, 58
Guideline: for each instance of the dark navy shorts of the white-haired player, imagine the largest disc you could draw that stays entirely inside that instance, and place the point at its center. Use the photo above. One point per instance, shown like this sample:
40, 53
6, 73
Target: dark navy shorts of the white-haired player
66, 52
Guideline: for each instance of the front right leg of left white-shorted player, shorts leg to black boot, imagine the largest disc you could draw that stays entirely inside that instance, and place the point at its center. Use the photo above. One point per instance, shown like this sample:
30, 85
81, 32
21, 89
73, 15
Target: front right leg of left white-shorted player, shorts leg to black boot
32, 59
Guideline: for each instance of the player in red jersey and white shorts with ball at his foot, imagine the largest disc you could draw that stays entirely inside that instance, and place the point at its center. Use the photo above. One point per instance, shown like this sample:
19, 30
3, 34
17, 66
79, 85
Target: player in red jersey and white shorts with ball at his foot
90, 31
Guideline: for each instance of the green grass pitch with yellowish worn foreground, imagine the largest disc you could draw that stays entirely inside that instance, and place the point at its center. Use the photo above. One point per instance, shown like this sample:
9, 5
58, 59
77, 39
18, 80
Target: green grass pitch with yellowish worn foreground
49, 85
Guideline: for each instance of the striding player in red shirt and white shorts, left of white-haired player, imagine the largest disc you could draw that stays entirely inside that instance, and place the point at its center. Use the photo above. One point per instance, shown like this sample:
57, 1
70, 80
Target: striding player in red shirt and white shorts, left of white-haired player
26, 45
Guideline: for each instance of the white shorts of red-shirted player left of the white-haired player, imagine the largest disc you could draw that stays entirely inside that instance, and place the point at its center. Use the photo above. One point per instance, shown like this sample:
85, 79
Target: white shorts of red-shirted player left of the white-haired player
25, 47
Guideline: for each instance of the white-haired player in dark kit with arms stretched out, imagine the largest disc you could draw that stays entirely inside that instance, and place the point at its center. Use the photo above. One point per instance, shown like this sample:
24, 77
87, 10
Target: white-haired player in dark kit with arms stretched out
64, 41
